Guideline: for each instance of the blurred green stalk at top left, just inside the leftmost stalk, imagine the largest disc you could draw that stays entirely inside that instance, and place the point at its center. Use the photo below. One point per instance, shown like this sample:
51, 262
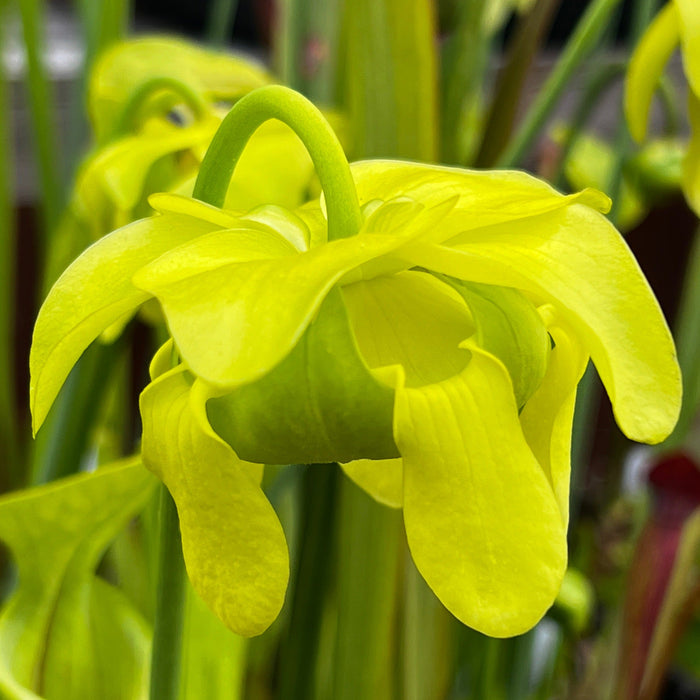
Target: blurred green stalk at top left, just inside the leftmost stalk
42, 116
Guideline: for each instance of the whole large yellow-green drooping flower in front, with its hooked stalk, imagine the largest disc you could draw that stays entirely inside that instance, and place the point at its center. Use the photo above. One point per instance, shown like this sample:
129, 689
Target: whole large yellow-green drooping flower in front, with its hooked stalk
425, 326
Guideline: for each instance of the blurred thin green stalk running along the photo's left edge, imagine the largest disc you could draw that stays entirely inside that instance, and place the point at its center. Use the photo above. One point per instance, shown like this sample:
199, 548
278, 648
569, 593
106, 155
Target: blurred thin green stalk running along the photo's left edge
9, 433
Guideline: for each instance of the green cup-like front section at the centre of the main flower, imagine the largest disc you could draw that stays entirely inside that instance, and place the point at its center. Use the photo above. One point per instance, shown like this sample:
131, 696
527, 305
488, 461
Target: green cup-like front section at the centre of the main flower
320, 404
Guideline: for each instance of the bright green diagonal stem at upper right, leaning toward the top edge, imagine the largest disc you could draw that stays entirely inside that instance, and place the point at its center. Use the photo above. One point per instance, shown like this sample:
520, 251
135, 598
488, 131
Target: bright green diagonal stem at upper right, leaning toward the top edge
584, 39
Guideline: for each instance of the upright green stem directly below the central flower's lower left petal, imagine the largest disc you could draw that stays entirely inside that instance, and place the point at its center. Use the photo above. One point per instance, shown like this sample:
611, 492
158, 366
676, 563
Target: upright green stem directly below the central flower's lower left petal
170, 605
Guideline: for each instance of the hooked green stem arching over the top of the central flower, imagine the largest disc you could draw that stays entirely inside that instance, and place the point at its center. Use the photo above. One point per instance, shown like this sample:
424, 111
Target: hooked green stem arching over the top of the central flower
277, 102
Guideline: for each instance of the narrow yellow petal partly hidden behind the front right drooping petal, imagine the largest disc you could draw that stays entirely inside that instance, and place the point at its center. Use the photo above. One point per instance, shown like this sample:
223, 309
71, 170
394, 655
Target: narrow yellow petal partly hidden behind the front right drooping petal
547, 417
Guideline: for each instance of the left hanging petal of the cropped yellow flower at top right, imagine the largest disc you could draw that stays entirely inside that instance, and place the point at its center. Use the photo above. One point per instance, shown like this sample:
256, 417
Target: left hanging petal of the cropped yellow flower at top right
647, 66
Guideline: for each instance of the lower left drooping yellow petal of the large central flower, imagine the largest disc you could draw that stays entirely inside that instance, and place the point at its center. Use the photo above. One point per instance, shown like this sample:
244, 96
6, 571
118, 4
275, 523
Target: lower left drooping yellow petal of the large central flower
232, 541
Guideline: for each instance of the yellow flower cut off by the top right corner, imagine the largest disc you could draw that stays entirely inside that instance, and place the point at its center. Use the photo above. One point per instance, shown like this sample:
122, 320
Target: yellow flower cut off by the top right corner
678, 22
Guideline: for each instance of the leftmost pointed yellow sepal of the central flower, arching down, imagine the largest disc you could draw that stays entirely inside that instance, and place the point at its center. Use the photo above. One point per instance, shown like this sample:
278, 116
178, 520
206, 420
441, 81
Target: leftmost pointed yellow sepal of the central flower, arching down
92, 294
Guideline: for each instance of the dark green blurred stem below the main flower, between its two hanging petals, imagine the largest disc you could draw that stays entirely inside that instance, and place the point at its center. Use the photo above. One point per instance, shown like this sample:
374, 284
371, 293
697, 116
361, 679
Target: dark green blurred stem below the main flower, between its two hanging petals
300, 650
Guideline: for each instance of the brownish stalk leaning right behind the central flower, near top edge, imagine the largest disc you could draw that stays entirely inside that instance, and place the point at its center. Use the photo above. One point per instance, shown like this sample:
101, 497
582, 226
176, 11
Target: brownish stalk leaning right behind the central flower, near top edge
502, 112
